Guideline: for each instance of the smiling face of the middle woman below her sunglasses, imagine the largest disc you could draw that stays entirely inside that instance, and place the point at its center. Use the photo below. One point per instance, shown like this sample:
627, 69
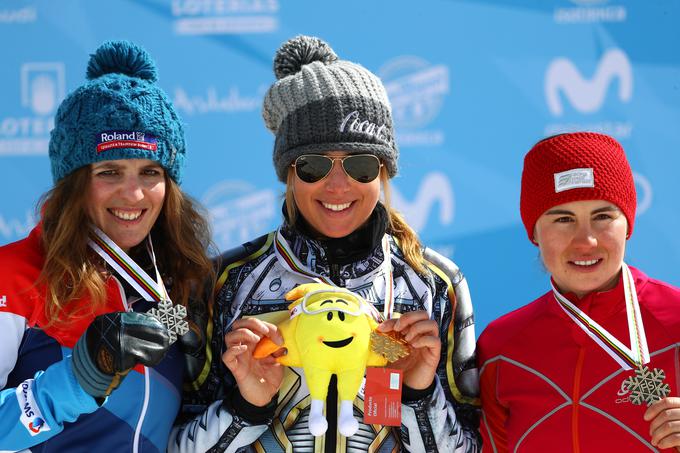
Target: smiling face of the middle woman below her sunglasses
337, 205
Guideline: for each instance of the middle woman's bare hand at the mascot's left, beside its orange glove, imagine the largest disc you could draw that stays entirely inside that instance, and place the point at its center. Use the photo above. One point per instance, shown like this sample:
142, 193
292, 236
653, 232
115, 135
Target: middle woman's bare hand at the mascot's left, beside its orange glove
258, 379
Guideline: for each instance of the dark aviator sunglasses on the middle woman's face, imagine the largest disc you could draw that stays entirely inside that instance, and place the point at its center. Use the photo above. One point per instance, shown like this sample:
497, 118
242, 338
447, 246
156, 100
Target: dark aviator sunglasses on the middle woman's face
362, 168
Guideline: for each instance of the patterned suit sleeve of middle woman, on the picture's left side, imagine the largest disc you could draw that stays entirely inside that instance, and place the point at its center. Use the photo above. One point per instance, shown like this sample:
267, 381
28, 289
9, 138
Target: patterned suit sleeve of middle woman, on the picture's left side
215, 418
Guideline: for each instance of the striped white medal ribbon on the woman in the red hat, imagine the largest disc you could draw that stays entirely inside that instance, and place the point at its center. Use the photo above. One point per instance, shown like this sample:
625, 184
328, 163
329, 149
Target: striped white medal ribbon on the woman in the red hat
628, 358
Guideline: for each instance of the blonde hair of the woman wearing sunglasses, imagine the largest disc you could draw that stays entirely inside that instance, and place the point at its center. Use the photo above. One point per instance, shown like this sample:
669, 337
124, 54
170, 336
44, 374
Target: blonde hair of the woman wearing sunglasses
405, 235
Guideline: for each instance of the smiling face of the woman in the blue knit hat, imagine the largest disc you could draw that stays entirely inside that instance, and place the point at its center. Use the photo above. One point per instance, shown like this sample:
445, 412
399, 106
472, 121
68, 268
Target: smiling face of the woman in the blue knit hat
125, 198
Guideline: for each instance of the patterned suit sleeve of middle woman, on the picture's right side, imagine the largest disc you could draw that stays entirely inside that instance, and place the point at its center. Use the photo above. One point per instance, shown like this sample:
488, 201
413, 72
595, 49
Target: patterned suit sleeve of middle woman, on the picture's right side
447, 419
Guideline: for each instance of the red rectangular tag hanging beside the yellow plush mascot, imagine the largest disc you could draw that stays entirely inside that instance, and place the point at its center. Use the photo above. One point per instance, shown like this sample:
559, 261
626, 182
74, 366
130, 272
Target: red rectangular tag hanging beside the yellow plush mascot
382, 397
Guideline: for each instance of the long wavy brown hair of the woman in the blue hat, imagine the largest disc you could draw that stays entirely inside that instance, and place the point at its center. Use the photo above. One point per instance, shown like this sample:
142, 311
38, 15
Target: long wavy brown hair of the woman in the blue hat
71, 270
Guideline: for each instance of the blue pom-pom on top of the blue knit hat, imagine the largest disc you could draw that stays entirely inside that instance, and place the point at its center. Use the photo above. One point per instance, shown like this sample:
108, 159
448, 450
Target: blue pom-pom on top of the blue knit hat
121, 57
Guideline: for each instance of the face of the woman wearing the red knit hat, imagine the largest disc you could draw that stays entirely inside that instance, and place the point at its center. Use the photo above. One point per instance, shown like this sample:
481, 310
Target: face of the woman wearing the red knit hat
582, 244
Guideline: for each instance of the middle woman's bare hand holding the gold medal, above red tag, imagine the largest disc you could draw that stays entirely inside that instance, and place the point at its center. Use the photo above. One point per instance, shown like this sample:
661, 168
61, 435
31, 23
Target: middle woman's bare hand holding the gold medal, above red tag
422, 335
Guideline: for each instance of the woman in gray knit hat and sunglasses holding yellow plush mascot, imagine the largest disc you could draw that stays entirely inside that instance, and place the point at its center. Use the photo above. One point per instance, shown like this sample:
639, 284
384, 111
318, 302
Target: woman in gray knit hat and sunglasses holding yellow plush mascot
335, 151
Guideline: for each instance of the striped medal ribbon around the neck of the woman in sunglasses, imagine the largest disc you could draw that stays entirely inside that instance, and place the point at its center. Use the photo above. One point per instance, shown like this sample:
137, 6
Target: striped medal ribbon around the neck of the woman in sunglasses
292, 264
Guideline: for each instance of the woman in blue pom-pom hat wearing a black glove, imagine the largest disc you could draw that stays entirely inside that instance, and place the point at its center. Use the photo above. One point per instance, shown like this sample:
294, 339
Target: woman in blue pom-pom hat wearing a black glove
95, 297
